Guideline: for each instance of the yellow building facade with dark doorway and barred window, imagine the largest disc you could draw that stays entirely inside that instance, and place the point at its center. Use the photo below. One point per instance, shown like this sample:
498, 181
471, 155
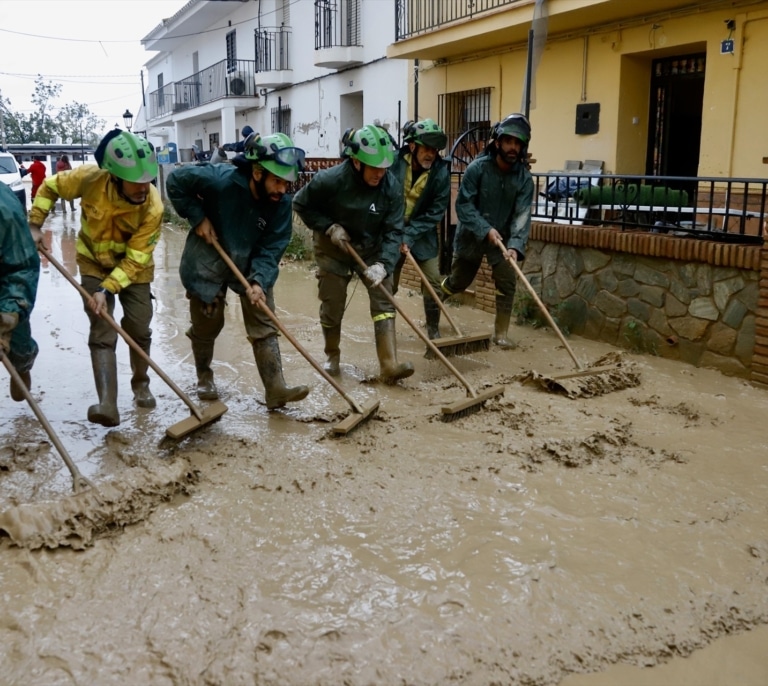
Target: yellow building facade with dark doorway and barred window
660, 87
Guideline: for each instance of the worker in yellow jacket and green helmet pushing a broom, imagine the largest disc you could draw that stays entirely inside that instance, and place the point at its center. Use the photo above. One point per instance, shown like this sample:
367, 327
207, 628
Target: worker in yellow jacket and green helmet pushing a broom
121, 214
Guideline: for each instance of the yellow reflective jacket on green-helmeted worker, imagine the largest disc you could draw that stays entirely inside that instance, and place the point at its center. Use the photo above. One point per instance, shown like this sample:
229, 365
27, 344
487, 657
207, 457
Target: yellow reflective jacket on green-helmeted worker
116, 238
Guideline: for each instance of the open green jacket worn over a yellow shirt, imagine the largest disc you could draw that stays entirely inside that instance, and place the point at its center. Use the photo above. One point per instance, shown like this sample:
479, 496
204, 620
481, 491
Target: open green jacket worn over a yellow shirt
421, 232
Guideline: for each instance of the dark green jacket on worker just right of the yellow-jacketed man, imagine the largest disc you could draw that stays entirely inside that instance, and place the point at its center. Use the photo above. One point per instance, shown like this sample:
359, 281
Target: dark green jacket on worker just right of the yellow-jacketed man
255, 233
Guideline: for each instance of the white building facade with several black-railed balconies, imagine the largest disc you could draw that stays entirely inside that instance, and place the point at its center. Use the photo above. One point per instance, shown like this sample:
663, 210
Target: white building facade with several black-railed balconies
307, 68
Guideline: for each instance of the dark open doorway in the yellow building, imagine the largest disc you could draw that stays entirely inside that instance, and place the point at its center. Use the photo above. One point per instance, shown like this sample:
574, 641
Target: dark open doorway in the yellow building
677, 95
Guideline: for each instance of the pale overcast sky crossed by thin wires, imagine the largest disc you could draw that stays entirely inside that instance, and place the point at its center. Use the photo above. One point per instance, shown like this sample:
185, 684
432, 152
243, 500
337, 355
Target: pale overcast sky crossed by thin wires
91, 47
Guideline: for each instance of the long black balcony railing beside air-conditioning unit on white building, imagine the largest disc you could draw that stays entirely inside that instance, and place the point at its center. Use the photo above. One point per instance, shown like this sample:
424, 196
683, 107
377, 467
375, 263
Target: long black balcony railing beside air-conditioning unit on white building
225, 79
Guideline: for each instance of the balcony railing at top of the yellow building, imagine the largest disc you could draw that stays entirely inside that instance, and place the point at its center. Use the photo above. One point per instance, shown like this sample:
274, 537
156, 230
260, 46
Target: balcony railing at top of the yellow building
414, 17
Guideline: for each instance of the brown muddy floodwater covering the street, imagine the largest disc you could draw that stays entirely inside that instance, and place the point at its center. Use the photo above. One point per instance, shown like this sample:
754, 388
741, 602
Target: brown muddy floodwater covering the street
620, 539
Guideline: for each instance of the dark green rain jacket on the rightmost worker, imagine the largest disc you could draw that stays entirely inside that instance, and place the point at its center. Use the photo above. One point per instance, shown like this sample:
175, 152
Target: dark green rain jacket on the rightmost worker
491, 199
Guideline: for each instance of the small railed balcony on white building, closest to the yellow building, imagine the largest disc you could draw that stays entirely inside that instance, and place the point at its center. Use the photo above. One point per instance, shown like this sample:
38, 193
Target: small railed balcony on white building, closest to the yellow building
337, 34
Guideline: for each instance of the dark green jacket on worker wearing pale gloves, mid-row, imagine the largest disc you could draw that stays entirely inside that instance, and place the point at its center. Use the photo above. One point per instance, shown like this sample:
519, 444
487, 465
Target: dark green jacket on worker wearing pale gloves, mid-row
373, 217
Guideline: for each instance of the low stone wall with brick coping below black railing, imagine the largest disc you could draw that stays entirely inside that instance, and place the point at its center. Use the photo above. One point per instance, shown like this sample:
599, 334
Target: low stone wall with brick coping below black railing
696, 301
